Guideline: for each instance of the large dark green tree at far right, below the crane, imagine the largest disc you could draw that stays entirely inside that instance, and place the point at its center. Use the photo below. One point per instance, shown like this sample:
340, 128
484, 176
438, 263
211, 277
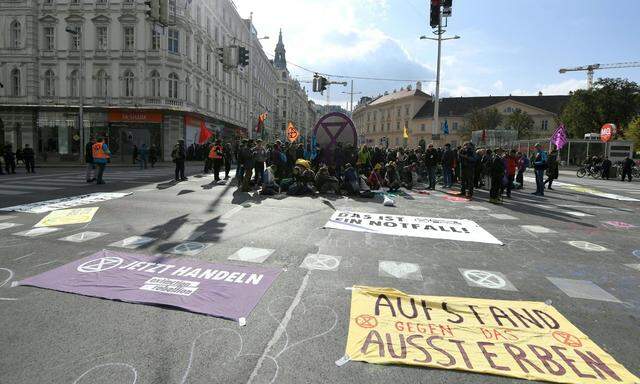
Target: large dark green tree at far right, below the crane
609, 101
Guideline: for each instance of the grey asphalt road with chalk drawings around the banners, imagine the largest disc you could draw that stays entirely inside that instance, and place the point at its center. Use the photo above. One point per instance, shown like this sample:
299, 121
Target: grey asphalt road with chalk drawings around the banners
299, 328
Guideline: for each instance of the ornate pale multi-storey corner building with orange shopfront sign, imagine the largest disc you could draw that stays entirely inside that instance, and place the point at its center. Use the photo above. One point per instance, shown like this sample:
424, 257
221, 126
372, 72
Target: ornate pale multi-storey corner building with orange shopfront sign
139, 83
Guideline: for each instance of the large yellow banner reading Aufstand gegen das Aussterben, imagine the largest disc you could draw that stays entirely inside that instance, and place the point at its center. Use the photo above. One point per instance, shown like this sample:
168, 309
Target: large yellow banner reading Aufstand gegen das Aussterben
524, 339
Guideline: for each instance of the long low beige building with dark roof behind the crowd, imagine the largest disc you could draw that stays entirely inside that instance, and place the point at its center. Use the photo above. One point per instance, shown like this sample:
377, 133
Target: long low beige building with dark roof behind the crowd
381, 120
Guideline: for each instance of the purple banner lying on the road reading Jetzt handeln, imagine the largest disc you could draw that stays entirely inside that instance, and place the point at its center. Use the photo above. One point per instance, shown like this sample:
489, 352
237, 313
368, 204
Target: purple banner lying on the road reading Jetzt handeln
222, 290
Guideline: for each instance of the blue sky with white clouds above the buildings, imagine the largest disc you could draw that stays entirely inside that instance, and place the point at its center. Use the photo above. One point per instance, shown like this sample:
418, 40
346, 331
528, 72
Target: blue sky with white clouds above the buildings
506, 46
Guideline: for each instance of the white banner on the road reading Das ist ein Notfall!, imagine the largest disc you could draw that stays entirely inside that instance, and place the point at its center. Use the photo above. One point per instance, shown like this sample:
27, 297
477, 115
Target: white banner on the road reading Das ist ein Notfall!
400, 225
